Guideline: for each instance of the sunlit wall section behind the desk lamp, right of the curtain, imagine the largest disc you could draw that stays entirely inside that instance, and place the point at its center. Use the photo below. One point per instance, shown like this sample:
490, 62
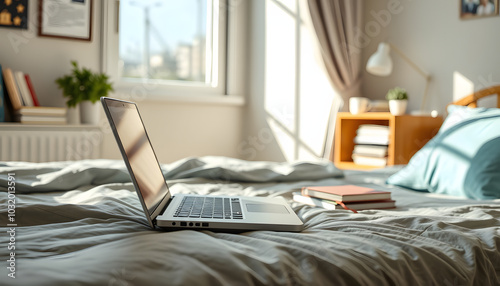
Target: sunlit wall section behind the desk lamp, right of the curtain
455, 52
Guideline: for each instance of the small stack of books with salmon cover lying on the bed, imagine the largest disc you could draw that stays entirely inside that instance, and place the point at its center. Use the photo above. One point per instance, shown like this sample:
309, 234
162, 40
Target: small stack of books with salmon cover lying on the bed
349, 197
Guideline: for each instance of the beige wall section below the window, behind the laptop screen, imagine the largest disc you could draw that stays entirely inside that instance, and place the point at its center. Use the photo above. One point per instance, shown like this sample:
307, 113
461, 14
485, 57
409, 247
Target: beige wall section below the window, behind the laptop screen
178, 130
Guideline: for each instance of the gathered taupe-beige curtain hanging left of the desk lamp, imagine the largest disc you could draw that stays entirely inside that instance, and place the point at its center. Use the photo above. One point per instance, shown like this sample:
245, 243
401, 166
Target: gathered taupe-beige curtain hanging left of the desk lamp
336, 23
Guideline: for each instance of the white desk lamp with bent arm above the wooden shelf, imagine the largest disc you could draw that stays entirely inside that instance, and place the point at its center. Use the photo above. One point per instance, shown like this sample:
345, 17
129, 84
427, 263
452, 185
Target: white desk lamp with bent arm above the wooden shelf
380, 63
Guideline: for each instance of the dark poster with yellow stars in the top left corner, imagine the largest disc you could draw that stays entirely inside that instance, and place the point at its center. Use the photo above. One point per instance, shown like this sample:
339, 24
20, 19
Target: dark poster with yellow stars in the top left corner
14, 14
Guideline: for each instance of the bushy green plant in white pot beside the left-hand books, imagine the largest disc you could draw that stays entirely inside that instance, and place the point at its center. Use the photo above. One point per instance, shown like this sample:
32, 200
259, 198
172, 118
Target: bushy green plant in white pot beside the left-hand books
84, 88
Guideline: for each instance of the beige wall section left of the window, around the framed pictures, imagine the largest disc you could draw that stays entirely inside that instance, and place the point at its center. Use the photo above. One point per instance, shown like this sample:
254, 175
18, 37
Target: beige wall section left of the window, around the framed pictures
45, 59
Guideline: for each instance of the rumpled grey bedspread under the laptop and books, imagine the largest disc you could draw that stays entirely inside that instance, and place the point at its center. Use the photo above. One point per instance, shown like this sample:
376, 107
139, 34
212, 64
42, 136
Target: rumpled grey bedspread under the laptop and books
80, 223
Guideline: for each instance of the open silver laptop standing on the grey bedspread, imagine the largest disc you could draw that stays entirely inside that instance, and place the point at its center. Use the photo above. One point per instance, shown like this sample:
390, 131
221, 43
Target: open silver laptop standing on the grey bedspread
185, 211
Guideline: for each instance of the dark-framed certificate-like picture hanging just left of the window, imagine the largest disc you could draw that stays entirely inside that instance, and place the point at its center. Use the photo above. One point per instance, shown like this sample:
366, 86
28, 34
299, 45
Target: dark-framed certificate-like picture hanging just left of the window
69, 19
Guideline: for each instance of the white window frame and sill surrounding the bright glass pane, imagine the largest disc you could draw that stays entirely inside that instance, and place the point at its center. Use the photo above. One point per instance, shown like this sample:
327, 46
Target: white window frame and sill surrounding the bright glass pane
232, 22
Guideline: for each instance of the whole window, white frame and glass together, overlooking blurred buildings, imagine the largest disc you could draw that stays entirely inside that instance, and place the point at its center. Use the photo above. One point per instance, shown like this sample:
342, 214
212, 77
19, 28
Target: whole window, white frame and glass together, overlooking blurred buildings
156, 48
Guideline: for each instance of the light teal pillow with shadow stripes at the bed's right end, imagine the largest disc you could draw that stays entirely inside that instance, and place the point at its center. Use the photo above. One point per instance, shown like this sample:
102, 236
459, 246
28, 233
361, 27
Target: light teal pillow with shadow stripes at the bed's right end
463, 159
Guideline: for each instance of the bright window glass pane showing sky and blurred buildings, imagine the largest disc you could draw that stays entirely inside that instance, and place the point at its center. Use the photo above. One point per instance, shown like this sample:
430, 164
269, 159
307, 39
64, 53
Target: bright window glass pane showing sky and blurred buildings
167, 40
